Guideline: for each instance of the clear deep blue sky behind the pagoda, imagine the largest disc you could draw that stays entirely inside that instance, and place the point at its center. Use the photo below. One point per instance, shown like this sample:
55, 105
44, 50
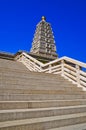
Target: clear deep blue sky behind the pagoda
18, 19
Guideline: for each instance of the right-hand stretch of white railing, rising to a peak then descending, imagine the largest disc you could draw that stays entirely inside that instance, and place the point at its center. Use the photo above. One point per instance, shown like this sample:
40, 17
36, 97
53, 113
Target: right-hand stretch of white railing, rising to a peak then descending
68, 68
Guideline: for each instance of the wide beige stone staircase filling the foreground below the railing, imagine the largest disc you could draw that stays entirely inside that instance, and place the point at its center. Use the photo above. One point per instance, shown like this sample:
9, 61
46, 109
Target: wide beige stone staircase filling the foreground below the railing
39, 101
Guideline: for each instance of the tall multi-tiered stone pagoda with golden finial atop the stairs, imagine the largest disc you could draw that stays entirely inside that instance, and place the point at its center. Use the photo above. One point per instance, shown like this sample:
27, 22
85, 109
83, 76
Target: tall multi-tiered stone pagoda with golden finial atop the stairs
43, 42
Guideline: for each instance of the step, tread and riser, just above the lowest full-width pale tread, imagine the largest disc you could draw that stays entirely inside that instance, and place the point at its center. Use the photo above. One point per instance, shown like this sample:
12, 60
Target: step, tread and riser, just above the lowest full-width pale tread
18, 114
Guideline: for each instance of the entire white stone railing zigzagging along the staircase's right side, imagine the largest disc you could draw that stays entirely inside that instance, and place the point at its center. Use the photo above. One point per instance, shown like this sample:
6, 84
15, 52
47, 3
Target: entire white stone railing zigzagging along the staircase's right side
67, 67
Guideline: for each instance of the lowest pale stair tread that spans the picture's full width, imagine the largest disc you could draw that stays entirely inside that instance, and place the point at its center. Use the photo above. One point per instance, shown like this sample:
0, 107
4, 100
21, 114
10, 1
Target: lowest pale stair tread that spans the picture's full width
40, 120
